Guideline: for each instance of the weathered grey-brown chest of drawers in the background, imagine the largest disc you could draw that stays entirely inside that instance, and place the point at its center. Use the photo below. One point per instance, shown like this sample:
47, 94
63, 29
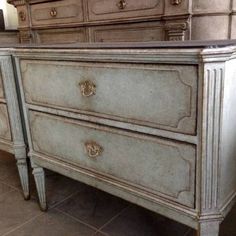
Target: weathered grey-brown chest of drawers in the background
71, 21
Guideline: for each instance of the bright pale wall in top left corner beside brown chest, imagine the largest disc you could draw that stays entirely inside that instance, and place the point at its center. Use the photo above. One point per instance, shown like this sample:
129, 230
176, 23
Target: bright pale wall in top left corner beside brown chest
10, 15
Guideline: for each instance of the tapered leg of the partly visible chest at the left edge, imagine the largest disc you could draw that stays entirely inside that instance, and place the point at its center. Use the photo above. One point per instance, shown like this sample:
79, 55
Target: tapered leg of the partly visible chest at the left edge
22, 165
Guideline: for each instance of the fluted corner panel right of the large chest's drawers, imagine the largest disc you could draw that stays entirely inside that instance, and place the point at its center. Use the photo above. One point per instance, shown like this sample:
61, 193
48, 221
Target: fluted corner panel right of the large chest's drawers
211, 135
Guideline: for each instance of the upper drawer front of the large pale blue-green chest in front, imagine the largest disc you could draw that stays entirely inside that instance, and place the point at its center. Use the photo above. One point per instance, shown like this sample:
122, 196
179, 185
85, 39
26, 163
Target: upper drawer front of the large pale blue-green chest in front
151, 95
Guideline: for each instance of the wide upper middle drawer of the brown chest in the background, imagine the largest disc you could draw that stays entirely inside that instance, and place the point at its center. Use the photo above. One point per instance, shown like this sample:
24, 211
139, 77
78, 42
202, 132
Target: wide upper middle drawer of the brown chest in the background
123, 9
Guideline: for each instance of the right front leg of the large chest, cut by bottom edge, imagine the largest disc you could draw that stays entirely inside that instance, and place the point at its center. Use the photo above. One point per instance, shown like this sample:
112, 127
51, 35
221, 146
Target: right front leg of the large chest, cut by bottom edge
209, 228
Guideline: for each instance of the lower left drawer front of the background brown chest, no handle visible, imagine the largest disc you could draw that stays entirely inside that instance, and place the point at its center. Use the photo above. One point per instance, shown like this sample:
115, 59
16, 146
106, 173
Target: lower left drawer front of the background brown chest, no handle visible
60, 36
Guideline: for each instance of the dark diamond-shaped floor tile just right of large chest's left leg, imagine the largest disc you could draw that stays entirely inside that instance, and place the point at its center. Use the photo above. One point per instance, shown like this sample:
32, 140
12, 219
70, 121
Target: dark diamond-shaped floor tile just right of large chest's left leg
92, 206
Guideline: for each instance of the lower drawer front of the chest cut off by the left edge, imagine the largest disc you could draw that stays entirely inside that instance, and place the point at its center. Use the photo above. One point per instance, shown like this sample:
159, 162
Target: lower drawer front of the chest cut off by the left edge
5, 129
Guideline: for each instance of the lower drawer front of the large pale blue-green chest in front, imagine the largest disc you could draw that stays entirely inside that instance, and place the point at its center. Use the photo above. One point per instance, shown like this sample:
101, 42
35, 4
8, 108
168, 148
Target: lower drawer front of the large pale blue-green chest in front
154, 165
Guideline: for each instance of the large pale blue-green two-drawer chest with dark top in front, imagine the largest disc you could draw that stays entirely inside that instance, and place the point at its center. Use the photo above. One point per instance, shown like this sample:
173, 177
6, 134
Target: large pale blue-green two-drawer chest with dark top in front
155, 126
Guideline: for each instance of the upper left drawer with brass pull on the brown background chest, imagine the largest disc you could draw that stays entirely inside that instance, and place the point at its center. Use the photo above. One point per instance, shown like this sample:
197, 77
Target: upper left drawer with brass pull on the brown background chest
57, 12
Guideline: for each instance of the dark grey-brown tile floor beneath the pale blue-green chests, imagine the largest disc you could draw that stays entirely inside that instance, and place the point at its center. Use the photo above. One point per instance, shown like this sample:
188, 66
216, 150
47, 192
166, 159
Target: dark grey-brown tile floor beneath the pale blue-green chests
79, 210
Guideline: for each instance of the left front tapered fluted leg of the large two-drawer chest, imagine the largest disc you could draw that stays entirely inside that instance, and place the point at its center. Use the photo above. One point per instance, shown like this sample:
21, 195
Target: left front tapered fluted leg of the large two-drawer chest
39, 177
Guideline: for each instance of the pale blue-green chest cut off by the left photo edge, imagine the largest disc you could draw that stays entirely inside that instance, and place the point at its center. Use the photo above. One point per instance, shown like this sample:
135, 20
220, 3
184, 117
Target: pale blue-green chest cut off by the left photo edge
11, 133
